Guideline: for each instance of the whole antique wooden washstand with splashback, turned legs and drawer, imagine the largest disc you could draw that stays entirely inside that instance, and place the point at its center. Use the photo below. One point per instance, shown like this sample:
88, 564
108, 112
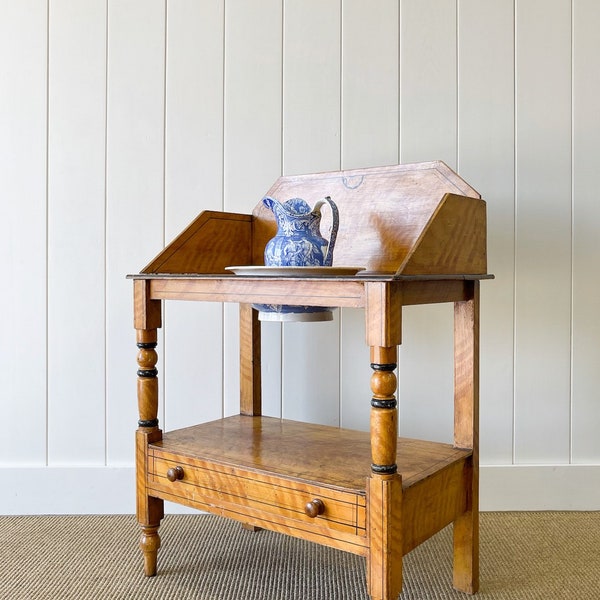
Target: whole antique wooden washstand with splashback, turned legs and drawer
420, 232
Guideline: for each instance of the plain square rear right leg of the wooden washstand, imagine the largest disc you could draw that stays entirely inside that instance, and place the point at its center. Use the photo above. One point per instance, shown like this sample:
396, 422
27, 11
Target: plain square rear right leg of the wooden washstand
466, 425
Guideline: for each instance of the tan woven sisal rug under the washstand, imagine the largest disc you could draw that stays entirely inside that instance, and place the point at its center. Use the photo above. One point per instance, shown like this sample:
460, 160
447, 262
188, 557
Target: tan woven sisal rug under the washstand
545, 556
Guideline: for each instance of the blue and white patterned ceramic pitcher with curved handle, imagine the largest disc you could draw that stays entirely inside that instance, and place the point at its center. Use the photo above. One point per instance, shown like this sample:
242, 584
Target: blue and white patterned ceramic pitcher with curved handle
299, 242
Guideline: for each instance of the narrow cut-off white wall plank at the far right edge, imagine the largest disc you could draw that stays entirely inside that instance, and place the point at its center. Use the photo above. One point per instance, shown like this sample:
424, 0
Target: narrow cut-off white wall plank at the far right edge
586, 217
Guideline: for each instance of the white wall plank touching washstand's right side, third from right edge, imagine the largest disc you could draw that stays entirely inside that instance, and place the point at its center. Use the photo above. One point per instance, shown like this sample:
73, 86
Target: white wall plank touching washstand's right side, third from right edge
486, 161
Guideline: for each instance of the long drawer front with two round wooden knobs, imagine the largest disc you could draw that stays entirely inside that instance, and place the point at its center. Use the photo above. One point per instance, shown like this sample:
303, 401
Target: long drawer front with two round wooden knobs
275, 497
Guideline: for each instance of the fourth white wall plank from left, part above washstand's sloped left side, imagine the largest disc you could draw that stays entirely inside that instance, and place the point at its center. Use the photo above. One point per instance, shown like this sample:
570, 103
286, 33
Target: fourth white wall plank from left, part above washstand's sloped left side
194, 111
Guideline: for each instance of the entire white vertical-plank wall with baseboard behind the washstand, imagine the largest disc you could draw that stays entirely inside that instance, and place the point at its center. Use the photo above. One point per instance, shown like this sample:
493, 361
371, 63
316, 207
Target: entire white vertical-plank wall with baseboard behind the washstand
120, 120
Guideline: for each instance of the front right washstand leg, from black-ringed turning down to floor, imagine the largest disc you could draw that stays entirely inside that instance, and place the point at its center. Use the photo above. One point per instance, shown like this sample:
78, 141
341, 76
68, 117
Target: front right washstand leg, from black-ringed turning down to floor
384, 487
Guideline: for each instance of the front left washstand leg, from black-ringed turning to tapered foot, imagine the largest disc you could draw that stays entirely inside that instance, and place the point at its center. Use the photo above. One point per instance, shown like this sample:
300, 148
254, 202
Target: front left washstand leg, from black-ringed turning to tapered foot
149, 509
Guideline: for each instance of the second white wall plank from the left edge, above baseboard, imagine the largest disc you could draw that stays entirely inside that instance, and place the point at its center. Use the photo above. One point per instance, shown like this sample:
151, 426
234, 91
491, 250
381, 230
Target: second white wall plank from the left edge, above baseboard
77, 94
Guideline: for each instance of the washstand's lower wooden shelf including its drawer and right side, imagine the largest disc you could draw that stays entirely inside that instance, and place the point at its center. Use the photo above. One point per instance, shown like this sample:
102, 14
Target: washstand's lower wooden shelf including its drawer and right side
263, 471
